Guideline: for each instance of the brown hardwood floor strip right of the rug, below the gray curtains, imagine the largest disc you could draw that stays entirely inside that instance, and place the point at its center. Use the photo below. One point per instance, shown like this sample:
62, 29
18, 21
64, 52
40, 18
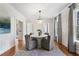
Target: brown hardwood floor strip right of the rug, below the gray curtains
65, 50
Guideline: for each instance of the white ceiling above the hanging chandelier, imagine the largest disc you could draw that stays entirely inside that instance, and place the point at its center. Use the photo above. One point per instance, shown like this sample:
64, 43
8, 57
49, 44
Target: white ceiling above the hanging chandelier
30, 10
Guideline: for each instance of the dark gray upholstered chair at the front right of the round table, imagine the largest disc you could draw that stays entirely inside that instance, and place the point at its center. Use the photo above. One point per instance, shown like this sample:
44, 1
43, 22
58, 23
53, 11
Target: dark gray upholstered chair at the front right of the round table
45, 43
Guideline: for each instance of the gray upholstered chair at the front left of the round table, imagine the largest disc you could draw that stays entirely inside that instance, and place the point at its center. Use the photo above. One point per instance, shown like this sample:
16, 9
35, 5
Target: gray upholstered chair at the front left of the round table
31, 43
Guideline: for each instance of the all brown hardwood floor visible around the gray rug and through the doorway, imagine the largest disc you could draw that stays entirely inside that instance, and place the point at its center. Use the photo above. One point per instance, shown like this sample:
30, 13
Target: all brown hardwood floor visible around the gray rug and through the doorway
64, 49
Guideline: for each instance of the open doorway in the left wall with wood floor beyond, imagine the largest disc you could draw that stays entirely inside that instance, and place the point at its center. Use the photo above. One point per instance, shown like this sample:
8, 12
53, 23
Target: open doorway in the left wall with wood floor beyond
19, 35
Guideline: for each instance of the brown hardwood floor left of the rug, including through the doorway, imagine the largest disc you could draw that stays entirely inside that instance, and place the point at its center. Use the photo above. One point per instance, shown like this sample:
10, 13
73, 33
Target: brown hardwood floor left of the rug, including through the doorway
12, 50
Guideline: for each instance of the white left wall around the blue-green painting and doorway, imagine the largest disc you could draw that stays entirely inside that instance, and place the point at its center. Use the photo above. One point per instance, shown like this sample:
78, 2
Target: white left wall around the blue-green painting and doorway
8, 40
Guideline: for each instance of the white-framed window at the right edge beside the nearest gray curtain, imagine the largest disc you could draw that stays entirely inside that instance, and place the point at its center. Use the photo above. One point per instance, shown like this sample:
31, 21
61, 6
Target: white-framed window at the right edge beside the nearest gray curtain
76, 24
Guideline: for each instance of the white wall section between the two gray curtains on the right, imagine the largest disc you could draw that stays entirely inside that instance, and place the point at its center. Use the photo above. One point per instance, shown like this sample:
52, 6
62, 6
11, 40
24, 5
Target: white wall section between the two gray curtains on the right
64, 15
